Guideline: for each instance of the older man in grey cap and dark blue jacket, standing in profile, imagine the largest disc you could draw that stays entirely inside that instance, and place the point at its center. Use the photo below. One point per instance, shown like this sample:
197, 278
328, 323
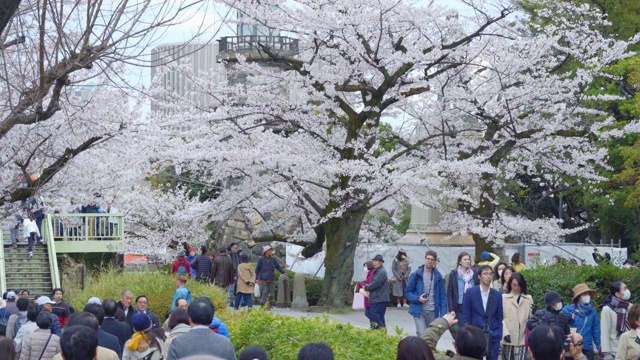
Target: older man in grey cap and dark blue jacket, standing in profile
378, 290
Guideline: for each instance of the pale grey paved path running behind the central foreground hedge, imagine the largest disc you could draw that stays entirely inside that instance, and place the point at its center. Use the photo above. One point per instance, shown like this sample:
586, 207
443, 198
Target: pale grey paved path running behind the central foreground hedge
394, 317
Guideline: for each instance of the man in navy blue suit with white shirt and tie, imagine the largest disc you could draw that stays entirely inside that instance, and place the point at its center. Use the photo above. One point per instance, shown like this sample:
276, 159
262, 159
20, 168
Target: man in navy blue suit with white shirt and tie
482, 307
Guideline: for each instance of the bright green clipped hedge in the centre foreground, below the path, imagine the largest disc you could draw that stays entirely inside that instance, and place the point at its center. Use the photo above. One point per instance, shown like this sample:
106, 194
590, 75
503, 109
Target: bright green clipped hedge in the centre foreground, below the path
283, 336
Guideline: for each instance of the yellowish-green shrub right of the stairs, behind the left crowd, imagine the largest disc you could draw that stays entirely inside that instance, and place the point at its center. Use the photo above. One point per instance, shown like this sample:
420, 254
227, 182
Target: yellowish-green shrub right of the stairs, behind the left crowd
159, 288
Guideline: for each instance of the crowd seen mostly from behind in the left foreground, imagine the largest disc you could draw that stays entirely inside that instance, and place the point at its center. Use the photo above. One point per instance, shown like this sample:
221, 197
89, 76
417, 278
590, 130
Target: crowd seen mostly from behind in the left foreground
44, 328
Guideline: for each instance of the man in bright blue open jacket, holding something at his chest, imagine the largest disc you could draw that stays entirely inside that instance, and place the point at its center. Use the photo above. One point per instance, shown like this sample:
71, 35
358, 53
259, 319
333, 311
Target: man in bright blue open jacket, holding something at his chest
426, 293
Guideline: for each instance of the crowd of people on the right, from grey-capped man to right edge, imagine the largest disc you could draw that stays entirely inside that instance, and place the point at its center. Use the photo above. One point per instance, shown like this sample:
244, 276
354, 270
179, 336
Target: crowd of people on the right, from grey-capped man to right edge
487, 306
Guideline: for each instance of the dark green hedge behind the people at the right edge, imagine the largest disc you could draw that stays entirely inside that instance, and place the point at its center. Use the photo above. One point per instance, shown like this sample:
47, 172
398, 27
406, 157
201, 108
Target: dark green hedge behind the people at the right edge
562, 278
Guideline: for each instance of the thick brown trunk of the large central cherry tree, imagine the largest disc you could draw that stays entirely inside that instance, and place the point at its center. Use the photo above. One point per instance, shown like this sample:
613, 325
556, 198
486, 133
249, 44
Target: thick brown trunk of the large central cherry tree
342, 238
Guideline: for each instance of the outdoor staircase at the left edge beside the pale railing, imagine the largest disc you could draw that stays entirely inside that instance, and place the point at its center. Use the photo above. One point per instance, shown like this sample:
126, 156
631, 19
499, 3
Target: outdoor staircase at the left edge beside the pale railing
23, 273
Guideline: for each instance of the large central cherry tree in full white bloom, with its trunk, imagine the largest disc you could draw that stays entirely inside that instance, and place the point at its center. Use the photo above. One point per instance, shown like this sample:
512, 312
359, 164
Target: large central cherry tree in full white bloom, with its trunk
476, 99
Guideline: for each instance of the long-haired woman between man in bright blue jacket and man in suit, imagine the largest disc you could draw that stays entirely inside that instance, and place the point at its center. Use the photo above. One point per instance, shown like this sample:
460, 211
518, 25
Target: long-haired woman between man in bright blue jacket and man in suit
460, 280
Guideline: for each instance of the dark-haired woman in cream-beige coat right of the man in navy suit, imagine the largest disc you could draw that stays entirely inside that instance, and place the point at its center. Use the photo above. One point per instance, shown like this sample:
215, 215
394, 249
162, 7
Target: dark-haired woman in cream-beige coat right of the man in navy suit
516, 306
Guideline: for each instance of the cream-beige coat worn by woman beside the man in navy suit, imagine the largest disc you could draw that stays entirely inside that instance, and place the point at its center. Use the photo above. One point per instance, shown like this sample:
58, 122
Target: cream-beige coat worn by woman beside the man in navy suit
515, 318
